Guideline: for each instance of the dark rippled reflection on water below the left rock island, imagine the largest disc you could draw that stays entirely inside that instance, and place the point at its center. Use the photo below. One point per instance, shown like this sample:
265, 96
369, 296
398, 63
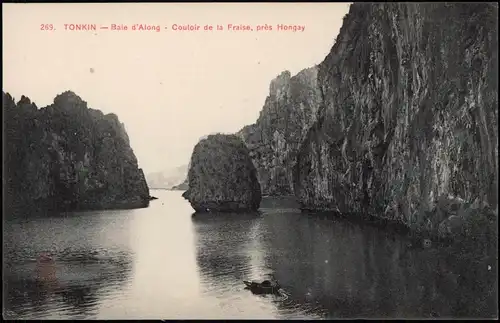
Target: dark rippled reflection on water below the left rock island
85, 265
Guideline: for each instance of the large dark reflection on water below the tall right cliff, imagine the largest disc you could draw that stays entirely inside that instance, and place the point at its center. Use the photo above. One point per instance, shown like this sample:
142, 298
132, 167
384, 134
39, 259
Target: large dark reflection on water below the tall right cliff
345, 270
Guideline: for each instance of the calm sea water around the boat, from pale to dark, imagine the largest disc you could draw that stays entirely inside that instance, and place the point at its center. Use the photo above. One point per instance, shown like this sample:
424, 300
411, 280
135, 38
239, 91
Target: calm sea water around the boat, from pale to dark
160, 262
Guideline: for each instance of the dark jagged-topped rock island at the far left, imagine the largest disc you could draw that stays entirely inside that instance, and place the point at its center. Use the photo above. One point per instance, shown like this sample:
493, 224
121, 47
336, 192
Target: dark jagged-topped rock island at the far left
68, 156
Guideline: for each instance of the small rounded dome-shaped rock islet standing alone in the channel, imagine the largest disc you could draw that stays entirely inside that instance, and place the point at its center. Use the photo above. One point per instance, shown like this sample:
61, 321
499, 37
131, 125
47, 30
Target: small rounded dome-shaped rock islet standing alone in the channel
222, 177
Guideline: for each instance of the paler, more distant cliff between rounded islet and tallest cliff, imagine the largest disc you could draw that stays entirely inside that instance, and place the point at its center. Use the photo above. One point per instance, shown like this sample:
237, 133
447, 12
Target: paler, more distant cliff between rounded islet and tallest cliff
273, 140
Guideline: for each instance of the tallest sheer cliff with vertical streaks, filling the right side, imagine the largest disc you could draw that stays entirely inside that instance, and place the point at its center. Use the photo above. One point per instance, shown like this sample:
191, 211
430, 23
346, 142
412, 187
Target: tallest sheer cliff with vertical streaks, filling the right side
408, 119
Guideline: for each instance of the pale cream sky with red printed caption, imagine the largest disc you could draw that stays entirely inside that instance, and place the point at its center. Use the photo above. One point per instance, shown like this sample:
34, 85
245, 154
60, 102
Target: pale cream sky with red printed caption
171, 87
